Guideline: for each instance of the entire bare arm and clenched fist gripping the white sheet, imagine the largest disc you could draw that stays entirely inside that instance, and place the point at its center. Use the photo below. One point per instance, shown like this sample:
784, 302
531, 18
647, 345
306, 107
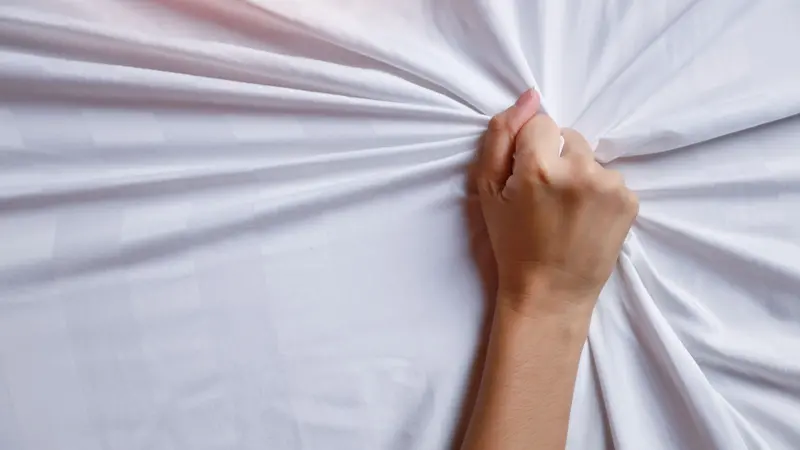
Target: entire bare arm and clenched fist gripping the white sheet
556, 224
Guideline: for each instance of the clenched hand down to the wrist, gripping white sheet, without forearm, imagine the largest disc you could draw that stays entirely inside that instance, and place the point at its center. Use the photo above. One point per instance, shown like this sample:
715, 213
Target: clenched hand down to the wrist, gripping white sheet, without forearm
556, 223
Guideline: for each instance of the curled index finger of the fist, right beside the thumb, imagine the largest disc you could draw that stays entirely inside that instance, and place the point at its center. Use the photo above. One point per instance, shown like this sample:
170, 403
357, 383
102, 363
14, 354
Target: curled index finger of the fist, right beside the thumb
538, 142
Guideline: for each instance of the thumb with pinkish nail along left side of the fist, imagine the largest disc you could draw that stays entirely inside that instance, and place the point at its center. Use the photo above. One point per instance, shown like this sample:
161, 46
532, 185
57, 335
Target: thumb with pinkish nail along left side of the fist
496, 156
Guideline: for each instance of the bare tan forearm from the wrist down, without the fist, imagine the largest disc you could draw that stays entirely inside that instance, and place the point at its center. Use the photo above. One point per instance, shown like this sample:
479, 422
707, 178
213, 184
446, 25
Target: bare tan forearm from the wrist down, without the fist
528, 380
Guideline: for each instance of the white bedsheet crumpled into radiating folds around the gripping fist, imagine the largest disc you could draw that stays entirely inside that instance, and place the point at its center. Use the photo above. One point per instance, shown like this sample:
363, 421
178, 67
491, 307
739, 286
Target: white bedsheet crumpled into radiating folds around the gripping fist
243, 224
